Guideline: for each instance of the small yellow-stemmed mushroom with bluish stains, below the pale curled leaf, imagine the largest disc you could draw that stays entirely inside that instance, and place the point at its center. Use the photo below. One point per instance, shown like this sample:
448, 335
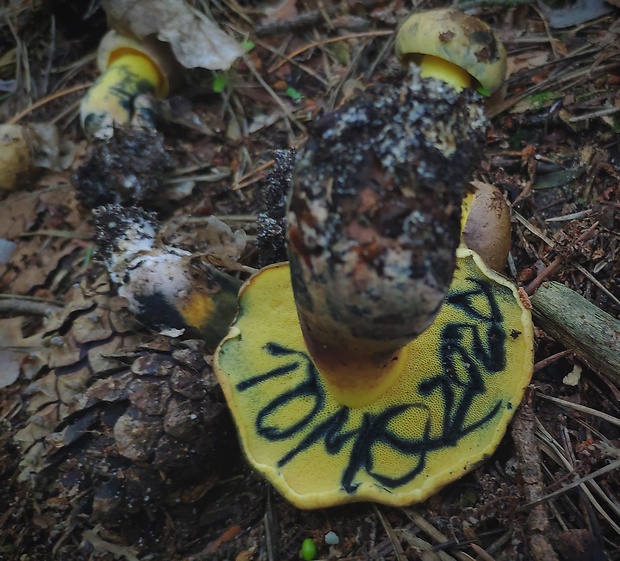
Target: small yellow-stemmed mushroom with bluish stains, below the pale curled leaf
130, 68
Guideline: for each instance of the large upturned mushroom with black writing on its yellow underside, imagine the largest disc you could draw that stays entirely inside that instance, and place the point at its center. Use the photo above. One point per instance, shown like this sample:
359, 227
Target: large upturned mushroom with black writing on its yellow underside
384, 361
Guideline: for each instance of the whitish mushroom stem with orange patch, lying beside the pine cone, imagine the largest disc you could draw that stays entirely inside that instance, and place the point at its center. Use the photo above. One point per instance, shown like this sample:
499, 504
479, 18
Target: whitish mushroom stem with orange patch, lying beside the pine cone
166, 287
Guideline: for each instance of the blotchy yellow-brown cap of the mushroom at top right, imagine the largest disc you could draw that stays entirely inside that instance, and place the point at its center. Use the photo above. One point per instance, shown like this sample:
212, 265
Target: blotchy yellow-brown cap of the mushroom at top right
460, 39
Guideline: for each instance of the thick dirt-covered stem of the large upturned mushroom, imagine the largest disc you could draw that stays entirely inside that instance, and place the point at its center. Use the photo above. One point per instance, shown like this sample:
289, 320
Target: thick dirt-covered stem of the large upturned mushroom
373, 227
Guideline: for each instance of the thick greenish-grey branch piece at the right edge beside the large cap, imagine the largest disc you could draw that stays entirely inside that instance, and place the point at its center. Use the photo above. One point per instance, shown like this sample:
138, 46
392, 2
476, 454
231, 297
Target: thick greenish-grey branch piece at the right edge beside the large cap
579, 325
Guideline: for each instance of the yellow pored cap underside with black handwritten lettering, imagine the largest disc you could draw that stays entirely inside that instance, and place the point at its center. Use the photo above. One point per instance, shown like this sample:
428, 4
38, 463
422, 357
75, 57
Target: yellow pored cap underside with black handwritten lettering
460, 384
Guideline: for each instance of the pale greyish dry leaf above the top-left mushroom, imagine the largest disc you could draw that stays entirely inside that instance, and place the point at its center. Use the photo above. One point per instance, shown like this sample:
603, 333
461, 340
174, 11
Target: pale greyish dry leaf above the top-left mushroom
196, 41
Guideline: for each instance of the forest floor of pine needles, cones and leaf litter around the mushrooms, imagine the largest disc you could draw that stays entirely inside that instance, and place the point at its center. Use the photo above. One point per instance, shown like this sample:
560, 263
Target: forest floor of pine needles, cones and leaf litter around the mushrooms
75, 486
